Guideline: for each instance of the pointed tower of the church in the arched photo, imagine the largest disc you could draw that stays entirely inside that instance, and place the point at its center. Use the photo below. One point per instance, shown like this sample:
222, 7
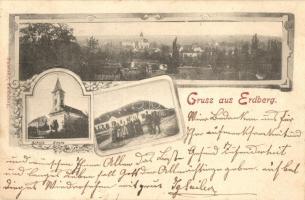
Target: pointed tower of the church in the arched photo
58, 97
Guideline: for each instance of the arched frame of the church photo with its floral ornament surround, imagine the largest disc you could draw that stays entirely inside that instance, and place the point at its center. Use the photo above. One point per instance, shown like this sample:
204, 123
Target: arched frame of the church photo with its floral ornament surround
18, 91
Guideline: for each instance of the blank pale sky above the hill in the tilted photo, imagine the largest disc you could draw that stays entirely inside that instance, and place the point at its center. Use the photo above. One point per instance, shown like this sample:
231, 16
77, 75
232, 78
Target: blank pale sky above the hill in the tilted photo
158, 92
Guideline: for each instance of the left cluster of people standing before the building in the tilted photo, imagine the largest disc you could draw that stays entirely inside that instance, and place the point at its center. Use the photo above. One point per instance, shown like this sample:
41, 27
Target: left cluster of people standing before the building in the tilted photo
123, 130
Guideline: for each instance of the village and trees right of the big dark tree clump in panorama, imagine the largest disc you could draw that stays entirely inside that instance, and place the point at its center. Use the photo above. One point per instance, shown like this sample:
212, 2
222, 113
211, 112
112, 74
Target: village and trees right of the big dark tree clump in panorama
140, 58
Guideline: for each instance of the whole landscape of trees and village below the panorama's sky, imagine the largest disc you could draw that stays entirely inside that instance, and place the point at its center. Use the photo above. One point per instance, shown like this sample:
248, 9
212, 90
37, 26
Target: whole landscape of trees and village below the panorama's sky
127, 58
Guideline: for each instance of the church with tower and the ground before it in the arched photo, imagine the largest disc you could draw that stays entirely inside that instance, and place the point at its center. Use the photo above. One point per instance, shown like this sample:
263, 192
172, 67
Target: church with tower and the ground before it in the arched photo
63, 121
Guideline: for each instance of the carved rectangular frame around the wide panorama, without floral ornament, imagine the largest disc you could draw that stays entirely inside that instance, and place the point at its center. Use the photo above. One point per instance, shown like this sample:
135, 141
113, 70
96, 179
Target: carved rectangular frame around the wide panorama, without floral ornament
287, 20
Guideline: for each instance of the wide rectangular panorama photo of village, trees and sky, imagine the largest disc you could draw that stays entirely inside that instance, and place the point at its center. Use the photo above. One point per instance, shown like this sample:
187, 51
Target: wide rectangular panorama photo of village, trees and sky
118, 51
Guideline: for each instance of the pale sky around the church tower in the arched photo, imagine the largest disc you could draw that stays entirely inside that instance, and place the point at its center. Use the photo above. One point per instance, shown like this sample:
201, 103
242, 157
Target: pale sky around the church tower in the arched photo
41, 102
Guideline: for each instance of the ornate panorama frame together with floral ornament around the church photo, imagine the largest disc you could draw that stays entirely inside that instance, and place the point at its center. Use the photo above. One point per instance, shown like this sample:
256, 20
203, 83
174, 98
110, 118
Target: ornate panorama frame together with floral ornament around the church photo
18, 88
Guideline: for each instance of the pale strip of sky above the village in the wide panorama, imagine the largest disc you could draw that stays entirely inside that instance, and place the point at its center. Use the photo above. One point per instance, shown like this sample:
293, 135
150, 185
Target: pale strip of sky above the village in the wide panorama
178, 28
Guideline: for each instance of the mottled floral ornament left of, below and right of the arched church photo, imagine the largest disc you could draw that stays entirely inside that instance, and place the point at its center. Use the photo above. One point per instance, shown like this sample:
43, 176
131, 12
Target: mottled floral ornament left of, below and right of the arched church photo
17, 91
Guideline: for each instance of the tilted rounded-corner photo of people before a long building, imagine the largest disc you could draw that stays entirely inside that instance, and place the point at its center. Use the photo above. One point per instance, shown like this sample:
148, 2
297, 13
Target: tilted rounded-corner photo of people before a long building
142, 113
